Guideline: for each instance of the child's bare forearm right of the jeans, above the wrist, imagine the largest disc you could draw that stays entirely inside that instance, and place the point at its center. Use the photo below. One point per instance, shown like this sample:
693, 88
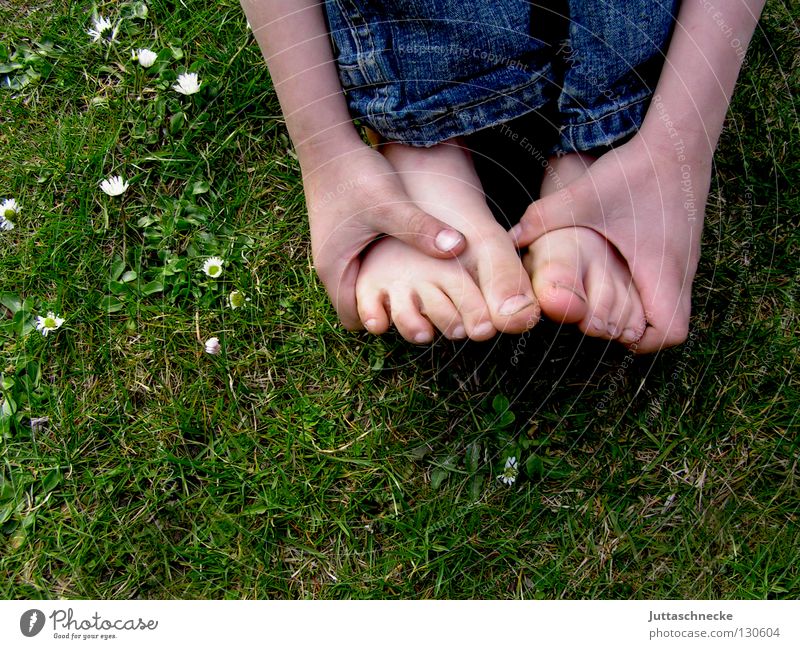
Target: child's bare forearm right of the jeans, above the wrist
697, 81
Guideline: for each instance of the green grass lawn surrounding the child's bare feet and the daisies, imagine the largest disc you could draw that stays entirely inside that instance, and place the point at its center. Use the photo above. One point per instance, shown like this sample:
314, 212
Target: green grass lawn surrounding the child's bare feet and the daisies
309, 462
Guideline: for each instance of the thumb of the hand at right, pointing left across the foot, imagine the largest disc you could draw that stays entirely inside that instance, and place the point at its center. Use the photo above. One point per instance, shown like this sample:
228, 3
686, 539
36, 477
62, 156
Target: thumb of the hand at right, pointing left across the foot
572, 206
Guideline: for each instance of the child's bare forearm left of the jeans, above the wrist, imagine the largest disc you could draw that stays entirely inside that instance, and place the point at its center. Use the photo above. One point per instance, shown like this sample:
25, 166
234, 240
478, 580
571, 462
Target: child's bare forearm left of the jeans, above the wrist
293, 37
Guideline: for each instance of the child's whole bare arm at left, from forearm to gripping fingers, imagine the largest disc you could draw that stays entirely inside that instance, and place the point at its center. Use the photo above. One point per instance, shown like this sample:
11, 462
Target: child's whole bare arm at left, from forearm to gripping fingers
352, 194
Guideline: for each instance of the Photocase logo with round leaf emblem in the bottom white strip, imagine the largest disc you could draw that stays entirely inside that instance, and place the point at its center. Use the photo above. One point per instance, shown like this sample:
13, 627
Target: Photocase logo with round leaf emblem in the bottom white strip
67, 626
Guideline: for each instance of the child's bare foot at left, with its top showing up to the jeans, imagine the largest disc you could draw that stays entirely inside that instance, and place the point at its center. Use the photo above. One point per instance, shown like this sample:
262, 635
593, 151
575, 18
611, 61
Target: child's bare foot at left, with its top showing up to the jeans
484, 290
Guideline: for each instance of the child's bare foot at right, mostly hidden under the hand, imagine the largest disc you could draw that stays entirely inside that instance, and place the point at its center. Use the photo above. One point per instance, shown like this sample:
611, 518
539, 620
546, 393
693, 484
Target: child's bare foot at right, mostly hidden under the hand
578, 277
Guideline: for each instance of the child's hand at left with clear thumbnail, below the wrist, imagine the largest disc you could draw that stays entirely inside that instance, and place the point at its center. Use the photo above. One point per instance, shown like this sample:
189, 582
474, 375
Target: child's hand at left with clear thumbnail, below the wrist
353, 200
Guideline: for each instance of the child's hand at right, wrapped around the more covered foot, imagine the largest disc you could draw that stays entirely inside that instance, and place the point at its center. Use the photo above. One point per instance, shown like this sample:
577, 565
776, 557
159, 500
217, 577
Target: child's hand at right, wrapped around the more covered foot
649, 203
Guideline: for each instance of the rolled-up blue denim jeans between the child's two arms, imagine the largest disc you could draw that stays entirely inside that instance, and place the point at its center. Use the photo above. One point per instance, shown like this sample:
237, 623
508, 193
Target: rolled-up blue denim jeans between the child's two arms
423, 71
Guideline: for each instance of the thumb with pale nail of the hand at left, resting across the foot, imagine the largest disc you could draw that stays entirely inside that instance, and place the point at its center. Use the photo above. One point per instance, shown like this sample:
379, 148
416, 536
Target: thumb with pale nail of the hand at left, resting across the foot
426, 233
